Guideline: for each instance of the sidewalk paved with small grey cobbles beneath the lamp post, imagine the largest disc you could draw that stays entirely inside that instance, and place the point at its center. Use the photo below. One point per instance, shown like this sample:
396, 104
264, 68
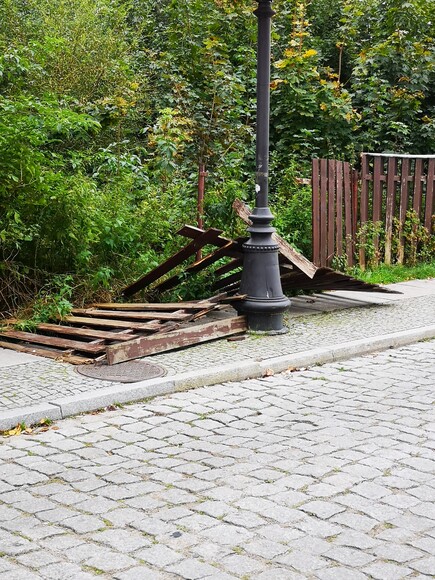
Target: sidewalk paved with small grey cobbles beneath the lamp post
46, 380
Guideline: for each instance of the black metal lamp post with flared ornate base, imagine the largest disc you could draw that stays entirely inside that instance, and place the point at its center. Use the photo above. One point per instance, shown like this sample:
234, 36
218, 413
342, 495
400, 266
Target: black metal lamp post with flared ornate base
265, 303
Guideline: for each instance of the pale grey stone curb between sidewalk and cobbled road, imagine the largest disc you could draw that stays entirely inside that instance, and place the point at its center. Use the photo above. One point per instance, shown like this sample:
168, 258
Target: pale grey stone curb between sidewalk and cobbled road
91, 401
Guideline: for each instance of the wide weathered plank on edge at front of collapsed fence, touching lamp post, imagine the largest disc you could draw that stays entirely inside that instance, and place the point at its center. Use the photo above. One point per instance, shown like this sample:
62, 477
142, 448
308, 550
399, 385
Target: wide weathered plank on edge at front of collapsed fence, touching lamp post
177, 339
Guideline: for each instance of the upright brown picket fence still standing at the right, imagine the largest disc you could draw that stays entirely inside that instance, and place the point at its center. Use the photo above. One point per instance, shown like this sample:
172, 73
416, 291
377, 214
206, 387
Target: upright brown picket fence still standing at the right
346, 202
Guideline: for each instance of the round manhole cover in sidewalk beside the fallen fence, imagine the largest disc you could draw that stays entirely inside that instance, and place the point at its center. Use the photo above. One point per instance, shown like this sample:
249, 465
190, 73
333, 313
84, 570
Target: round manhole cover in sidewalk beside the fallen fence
129, 372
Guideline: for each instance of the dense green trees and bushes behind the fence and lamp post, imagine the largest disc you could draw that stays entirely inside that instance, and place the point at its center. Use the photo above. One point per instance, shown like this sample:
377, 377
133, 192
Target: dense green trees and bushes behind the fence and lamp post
108, 106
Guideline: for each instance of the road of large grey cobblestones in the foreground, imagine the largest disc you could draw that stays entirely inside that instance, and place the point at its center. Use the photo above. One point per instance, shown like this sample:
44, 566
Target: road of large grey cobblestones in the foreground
322, 473
